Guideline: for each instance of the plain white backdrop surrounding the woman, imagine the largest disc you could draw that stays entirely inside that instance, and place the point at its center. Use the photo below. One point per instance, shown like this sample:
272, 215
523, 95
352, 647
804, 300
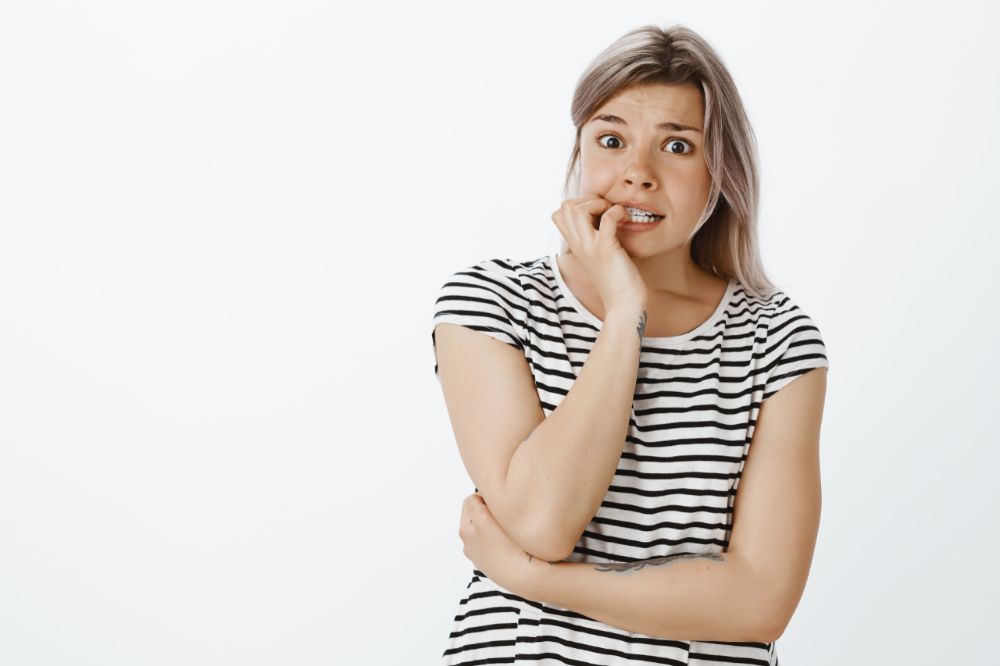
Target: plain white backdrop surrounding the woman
223, 226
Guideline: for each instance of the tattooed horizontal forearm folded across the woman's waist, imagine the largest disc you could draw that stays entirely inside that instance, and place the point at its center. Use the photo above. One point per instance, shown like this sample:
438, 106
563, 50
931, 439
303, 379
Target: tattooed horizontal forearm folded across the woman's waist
707, 597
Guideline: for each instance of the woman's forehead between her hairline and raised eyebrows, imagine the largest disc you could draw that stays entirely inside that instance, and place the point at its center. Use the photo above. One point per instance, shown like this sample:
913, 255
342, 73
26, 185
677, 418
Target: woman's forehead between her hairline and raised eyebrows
650, 104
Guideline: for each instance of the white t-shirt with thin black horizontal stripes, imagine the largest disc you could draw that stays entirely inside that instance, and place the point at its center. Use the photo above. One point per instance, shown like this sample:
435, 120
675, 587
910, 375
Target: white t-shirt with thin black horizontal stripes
696, 401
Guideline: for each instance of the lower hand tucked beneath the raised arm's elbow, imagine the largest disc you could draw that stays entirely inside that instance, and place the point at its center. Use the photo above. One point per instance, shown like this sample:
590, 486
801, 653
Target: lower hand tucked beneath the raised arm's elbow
488, 546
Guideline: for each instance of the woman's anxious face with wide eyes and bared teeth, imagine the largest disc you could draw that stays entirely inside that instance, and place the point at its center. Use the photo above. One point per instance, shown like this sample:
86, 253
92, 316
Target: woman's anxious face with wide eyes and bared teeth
629, 151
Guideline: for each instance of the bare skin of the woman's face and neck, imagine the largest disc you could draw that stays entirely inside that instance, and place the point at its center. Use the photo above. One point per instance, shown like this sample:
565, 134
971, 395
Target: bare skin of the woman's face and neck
666, 169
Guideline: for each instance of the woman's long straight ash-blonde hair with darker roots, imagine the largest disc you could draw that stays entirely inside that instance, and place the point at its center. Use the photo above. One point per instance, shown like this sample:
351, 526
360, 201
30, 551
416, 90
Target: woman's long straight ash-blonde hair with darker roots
724, 241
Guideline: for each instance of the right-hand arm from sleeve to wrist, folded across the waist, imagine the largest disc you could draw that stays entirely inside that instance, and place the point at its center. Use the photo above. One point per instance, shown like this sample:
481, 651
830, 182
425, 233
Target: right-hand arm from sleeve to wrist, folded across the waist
745, 594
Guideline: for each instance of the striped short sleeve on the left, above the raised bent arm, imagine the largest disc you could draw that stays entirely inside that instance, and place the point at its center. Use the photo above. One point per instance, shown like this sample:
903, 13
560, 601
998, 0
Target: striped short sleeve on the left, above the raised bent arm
486, 297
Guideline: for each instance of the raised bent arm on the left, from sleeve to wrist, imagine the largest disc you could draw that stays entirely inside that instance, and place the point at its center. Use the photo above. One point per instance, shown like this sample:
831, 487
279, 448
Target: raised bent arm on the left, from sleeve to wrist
544, 487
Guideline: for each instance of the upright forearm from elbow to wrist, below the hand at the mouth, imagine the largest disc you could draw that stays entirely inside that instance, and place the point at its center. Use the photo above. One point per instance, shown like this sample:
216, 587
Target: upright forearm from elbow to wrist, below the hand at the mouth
562, 470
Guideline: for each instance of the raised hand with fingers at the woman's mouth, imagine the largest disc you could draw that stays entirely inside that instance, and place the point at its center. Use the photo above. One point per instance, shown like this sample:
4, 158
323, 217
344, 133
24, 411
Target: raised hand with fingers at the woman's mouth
606, 262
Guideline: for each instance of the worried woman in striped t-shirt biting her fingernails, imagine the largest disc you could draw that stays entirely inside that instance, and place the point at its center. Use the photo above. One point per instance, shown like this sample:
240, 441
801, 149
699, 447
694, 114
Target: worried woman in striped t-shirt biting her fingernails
635, 501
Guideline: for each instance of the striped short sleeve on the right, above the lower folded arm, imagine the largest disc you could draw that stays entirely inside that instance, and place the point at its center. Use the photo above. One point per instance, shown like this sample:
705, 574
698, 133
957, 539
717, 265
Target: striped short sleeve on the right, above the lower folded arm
794, 346
